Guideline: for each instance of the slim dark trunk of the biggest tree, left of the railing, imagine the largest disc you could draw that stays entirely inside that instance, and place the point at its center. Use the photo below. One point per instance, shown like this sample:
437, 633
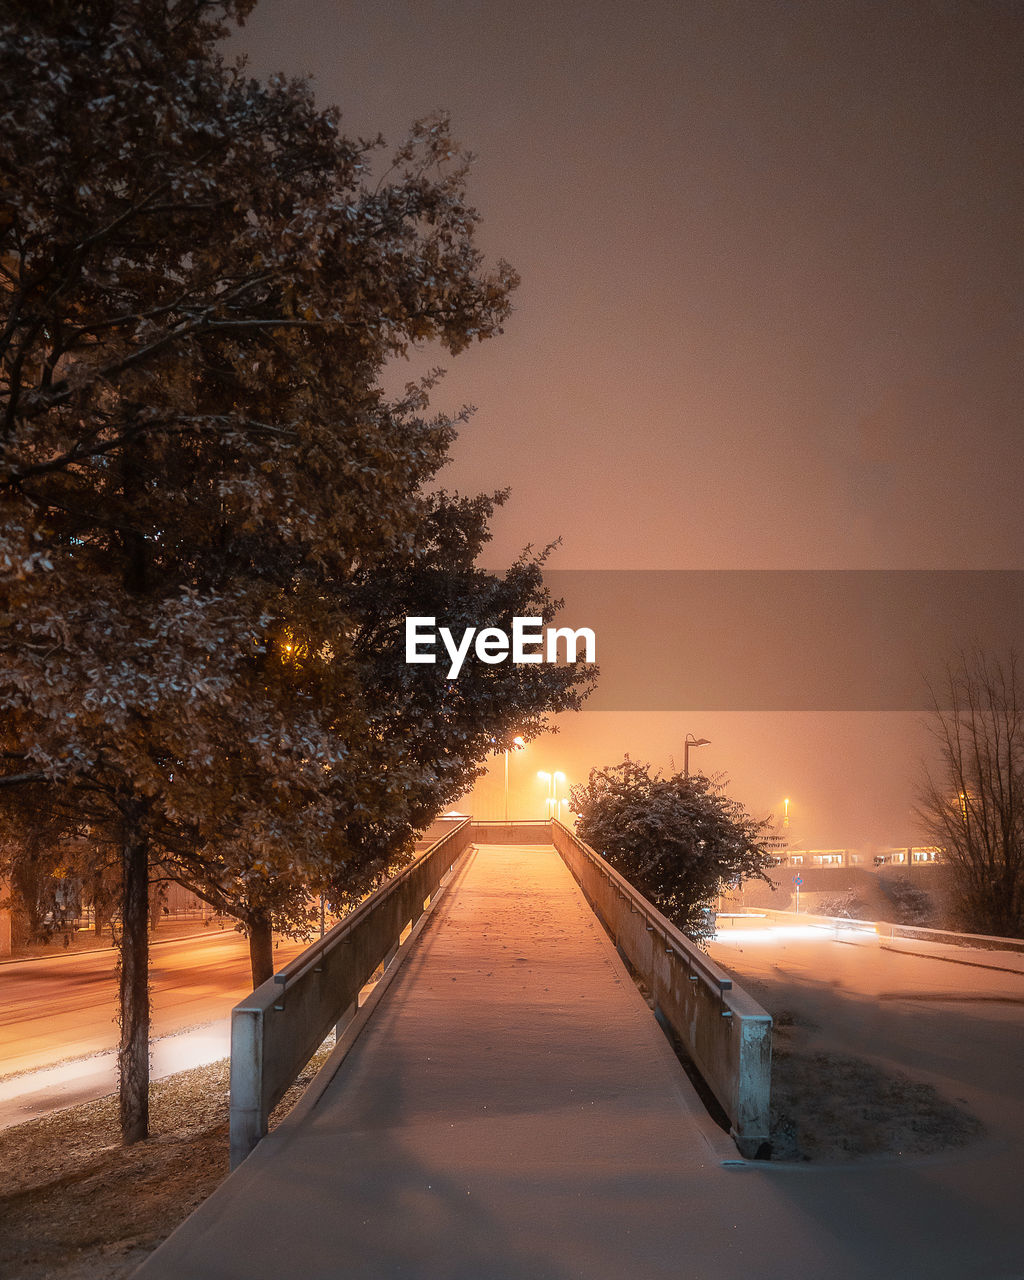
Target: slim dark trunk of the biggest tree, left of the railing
134, 1055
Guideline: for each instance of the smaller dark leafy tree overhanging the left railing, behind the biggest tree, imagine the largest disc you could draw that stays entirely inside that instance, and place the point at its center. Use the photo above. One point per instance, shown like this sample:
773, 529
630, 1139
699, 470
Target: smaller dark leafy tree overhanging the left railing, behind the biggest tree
422, 739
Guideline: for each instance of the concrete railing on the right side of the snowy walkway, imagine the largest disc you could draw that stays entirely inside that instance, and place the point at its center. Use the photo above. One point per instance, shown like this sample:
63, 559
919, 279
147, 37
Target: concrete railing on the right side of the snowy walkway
726, 1034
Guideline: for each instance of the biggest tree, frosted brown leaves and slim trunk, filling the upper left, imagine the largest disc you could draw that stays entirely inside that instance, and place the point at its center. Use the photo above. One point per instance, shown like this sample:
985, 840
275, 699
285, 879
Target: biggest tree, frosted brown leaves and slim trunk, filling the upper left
202, 284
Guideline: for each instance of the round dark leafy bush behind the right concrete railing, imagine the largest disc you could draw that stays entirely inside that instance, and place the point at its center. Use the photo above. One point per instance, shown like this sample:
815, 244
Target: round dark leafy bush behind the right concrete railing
680, 840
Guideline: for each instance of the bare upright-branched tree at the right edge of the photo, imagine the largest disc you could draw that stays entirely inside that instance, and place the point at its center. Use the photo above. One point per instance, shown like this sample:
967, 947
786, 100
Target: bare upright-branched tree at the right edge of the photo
972, 804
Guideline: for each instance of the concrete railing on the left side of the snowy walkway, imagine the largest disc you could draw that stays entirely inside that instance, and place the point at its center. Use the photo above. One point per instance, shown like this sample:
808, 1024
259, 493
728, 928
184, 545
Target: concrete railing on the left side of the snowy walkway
280, 1027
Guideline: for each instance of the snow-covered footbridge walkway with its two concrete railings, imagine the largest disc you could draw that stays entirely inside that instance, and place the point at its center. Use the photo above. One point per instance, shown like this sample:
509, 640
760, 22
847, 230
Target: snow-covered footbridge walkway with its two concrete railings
502, 1101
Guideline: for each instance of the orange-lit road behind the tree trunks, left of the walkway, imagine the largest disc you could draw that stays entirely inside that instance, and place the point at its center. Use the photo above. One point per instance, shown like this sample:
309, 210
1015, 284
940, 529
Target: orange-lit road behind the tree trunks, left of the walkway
66, 1007
